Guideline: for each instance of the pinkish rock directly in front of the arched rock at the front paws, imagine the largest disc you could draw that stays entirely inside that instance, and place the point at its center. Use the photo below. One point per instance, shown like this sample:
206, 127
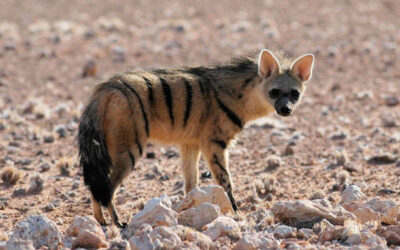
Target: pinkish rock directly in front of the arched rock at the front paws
199, 216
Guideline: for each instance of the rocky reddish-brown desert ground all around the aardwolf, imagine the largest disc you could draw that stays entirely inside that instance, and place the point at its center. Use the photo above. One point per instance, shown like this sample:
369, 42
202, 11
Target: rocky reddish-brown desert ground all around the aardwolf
326, 177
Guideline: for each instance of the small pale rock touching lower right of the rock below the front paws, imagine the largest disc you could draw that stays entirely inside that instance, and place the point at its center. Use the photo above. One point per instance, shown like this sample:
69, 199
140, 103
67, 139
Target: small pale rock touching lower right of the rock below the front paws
222, 226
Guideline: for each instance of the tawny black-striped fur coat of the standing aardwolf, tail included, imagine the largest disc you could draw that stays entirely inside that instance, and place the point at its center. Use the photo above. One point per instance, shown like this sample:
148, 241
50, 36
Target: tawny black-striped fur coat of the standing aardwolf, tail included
201, 109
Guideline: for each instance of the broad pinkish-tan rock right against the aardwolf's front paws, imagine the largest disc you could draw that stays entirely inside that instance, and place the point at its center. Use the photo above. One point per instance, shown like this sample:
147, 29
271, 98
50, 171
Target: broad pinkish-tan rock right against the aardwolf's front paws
212, 194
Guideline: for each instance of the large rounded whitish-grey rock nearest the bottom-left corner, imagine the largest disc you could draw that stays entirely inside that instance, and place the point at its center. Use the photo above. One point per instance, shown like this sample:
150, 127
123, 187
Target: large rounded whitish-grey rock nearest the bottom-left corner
40, 230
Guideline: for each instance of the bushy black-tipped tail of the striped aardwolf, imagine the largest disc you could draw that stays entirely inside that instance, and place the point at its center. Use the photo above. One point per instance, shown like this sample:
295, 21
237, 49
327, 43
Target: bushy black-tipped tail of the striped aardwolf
93, 154
